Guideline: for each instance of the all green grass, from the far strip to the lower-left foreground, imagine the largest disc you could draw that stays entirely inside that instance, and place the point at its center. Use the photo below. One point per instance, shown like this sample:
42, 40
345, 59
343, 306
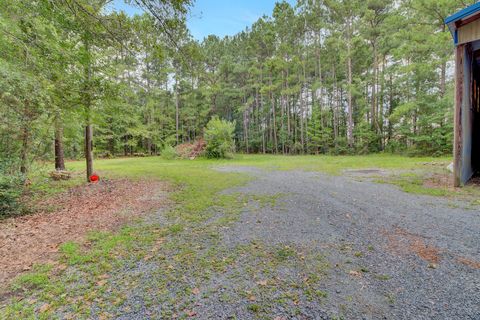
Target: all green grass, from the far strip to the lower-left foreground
47, 290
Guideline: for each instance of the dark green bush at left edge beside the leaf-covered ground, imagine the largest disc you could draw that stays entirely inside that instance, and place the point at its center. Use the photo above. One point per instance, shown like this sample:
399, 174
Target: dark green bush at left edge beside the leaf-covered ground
11, 189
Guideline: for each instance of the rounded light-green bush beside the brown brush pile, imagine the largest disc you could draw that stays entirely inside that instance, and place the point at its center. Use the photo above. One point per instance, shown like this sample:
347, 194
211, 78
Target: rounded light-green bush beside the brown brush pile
219, 138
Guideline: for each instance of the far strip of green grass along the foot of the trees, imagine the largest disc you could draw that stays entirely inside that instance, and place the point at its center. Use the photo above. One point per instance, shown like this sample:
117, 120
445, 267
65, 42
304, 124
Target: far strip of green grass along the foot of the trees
406, 172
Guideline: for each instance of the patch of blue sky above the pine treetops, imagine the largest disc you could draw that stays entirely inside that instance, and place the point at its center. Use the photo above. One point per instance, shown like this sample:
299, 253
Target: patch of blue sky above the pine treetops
219, 17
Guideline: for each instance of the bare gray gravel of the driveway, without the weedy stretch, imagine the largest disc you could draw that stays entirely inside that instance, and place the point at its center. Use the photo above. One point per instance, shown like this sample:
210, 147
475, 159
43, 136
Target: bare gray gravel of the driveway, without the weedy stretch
417, 252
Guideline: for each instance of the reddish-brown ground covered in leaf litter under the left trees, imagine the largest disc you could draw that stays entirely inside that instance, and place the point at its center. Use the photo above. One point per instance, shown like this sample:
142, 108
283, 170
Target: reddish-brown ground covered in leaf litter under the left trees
104, 206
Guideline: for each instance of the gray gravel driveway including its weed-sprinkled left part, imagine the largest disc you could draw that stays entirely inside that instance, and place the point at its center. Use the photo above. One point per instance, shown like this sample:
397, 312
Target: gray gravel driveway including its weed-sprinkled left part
303, 245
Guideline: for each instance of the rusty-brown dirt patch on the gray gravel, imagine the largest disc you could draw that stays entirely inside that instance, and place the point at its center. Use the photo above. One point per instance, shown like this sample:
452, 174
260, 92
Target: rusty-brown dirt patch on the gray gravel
401, 241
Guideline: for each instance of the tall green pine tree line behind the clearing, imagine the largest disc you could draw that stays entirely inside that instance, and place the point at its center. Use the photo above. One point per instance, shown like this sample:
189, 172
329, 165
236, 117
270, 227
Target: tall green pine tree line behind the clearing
78, 79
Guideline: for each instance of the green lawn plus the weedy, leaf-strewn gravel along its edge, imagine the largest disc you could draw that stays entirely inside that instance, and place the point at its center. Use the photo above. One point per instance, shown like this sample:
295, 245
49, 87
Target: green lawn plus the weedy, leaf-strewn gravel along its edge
172, 254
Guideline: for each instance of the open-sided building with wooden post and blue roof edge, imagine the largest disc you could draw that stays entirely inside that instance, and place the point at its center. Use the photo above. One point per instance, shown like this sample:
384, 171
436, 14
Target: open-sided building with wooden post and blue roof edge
465, 28
